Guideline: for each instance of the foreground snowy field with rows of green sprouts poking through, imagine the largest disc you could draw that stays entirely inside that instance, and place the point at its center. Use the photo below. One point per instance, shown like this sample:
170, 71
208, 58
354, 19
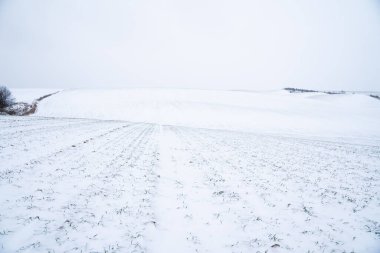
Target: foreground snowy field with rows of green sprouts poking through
77, 185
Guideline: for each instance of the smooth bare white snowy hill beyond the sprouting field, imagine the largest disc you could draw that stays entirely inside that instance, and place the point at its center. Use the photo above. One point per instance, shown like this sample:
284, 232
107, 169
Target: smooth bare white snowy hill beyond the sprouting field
270, 112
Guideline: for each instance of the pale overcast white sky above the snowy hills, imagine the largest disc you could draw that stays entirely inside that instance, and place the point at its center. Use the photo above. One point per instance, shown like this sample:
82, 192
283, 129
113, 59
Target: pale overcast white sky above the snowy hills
211, 44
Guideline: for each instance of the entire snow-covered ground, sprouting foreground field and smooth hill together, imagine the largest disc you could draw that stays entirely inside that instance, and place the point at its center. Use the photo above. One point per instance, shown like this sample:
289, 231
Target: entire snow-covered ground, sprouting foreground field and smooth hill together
158, 170
